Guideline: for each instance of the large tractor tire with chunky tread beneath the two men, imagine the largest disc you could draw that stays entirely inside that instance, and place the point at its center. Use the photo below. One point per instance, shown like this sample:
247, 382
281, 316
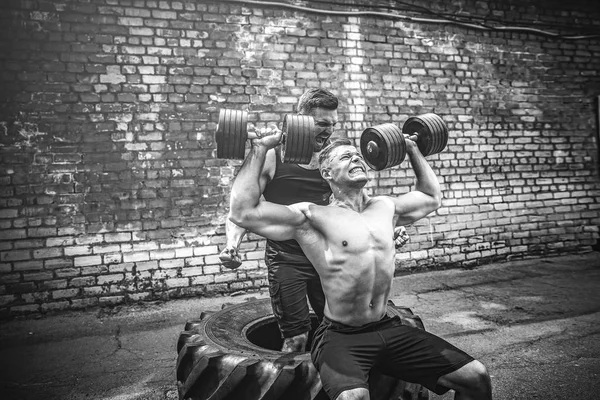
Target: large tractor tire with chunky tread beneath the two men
233, 354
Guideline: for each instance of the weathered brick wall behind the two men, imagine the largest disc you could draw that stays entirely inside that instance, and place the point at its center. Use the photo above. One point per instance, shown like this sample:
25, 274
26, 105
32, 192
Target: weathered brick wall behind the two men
110, 189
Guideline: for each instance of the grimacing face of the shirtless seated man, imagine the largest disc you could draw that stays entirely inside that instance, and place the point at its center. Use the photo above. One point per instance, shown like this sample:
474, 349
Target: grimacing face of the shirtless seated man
346, 166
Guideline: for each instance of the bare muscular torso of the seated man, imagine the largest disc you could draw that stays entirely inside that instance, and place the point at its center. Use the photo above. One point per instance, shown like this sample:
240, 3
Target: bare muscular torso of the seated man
353, 253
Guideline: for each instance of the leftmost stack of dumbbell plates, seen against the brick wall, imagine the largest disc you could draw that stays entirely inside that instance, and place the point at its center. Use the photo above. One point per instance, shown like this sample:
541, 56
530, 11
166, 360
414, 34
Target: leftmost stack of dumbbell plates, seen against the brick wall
232, 133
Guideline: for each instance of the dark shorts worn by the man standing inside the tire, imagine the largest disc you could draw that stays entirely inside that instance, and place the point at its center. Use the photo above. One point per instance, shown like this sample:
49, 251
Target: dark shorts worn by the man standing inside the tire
291, 279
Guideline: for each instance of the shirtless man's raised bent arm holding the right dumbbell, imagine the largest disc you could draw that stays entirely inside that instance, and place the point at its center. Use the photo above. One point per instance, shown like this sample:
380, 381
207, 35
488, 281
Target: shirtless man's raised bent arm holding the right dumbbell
426, 197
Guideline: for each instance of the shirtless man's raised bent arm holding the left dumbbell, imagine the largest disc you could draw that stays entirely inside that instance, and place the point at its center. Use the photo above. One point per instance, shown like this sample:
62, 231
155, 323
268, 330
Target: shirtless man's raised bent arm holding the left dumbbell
246, 210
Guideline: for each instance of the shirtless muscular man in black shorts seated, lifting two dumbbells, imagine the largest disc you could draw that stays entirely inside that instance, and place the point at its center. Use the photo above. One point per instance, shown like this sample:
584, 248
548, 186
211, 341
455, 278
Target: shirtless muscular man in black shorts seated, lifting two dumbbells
350, 244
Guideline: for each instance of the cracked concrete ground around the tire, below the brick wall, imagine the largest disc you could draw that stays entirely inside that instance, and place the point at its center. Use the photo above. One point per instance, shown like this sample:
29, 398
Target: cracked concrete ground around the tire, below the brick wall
534, 323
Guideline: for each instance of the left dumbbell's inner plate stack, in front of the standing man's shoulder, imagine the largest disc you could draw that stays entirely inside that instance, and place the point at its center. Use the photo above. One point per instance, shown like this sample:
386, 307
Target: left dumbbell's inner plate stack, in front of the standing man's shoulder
299, 139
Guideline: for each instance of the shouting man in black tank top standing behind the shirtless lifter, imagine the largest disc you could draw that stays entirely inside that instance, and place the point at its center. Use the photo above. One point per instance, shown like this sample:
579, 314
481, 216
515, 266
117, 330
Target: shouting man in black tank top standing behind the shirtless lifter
292, 278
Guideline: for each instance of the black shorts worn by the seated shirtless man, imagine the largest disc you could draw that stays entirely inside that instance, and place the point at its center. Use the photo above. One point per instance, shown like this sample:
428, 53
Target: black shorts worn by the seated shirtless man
344, 355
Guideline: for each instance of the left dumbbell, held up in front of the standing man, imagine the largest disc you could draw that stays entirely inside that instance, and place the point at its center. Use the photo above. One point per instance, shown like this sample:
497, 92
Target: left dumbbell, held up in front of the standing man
297, 143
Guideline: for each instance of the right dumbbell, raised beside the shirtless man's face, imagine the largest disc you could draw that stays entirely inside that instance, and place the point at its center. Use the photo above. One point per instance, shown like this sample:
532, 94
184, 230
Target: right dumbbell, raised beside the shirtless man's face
384, 146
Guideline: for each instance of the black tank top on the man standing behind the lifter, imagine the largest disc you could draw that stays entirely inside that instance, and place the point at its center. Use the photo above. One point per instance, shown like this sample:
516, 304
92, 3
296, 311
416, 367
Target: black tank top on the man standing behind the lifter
294, 184
